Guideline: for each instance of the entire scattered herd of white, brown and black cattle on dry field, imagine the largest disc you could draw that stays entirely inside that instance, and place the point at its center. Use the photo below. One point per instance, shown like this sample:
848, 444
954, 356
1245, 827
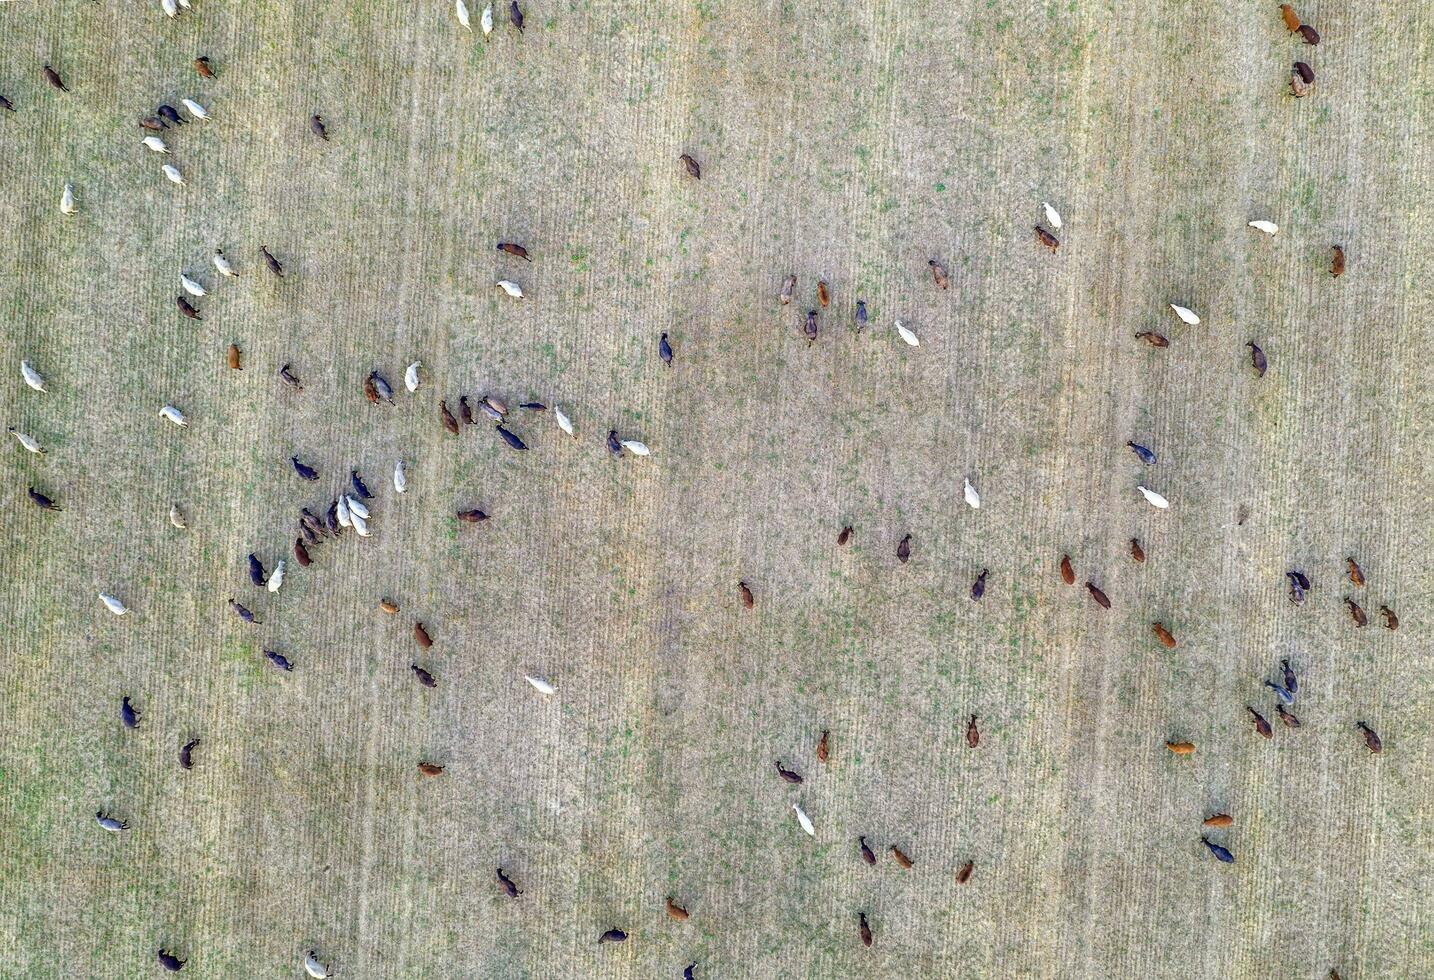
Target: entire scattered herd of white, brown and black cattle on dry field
351, 507
